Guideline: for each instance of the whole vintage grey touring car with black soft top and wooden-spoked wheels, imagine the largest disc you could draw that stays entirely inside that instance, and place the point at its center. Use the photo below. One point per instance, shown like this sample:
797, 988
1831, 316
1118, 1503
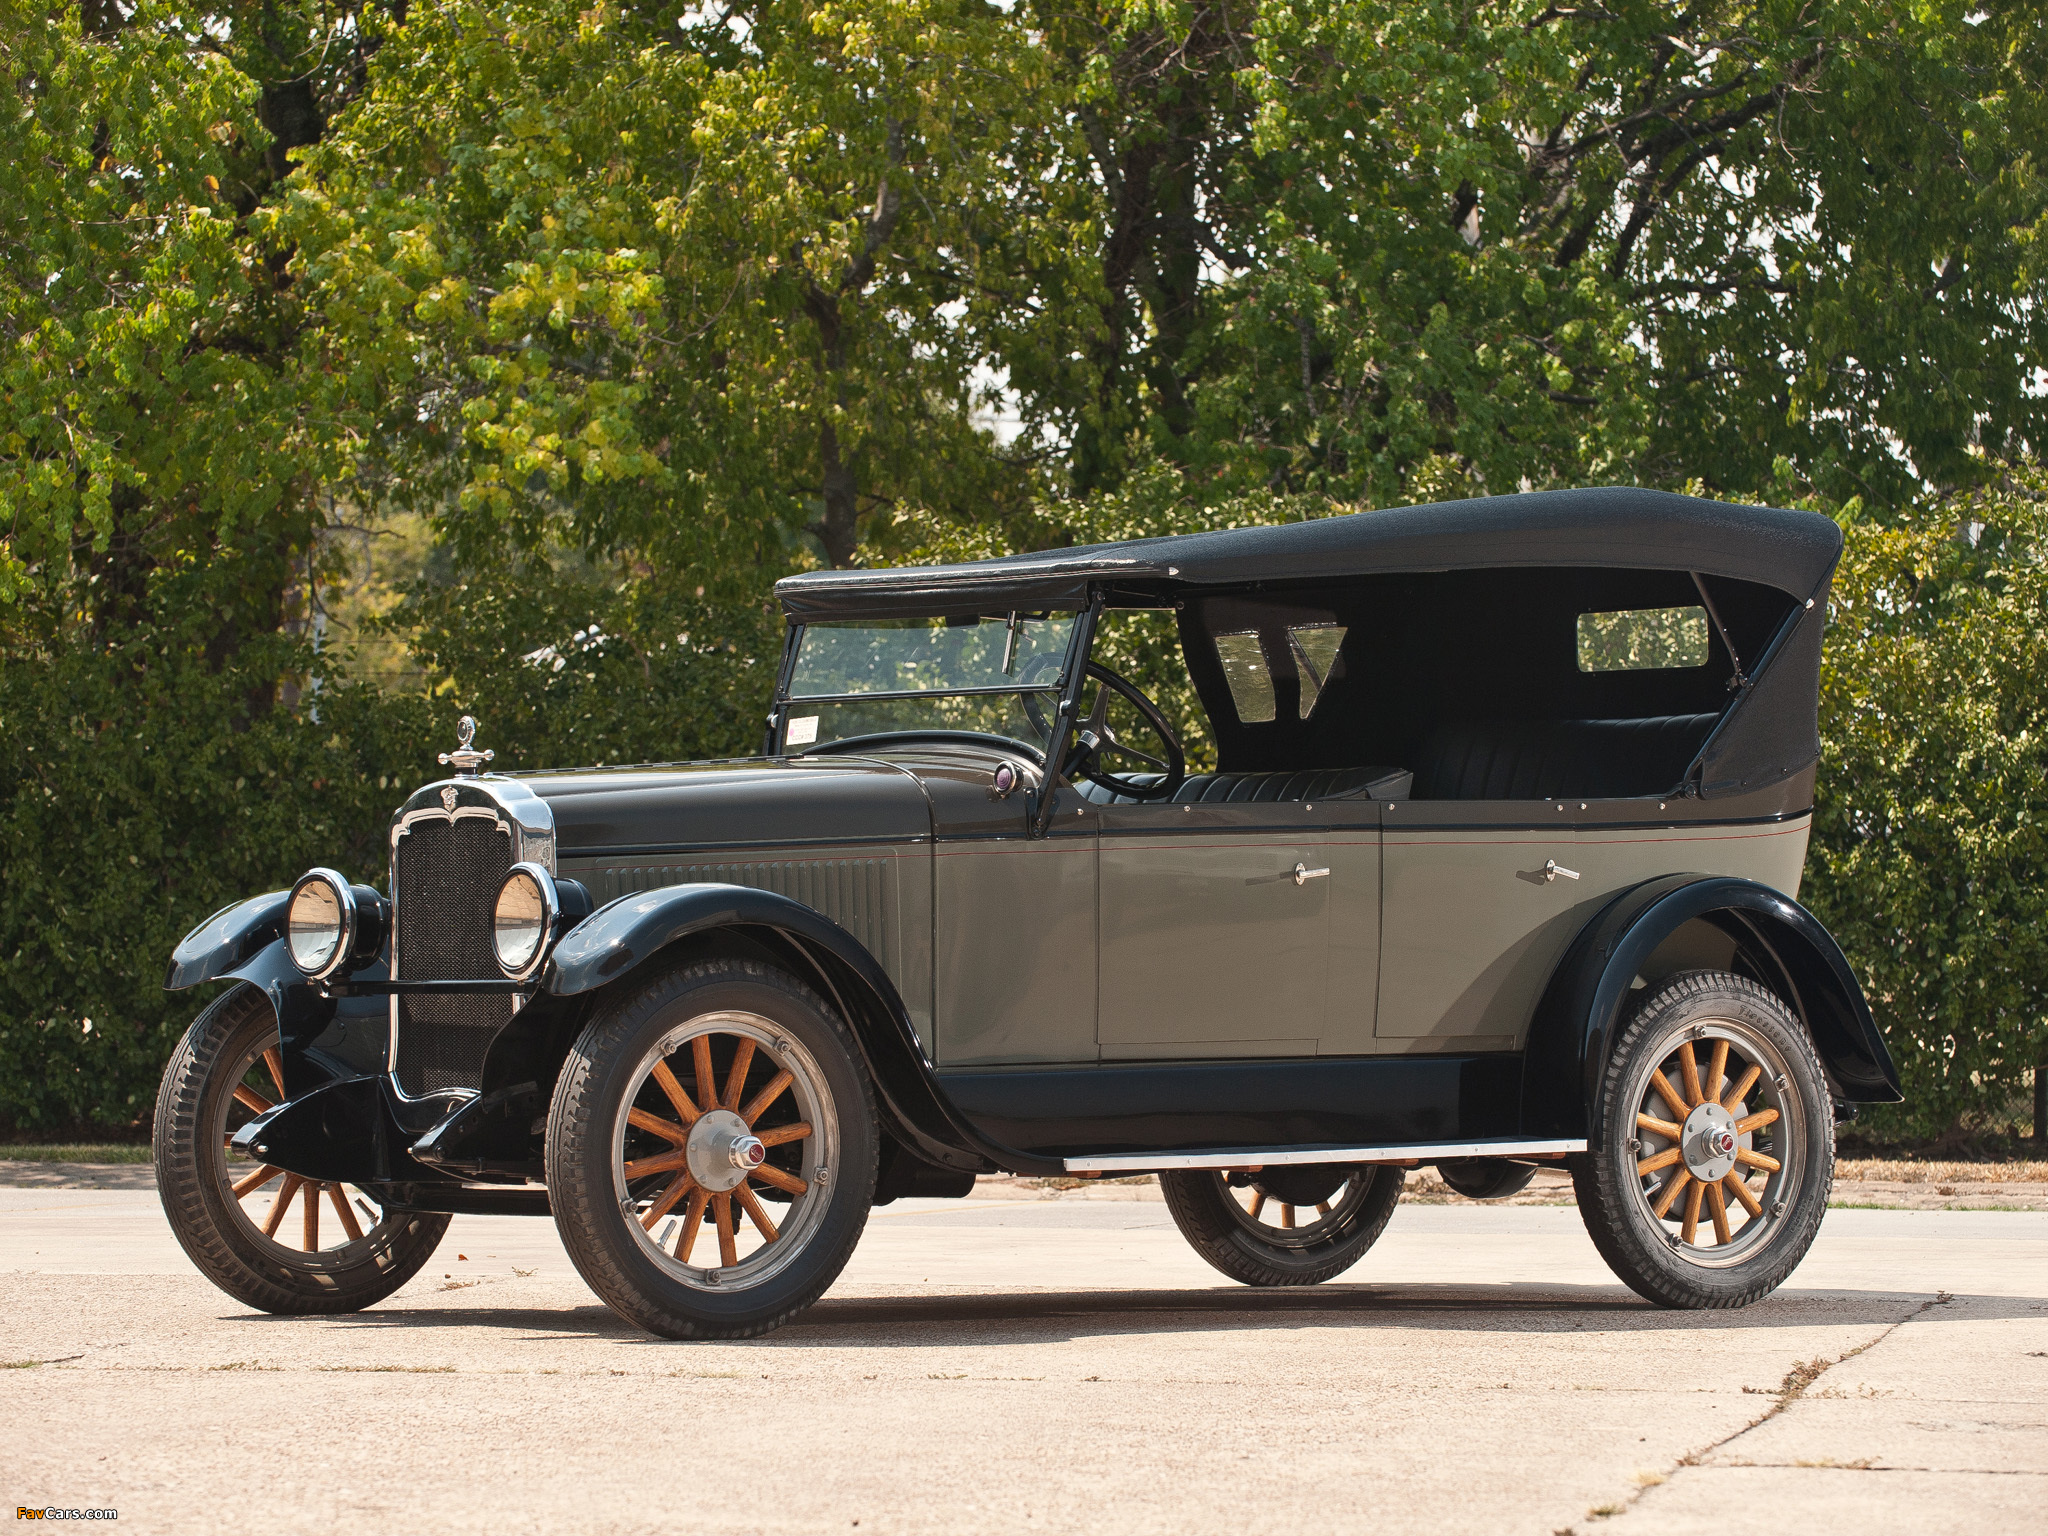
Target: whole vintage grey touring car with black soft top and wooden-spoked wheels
1496, 865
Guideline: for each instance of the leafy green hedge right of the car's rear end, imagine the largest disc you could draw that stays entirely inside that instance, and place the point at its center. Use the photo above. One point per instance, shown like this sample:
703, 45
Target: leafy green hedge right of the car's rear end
1932, 826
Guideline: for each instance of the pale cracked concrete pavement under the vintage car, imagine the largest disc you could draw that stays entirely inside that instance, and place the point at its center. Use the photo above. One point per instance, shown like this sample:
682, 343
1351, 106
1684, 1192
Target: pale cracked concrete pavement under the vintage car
1043, 1367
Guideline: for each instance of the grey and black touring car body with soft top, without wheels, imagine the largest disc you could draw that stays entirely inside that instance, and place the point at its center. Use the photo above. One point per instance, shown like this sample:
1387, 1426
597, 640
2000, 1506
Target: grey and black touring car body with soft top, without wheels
1400, 921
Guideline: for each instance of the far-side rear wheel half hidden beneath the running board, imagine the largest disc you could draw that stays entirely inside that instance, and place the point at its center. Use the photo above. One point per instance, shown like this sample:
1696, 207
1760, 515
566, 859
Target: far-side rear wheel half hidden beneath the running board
1355, 1205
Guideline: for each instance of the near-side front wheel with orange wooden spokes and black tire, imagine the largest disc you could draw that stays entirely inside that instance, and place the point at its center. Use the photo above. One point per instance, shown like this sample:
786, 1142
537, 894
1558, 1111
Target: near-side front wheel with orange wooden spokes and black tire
613, 1089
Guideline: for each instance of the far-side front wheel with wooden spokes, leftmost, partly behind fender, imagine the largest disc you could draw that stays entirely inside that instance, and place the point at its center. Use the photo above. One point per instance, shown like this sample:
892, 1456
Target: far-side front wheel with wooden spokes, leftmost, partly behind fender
232, 1048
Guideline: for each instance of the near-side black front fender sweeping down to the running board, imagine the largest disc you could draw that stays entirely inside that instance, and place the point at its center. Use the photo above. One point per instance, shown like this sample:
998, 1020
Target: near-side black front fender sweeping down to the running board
624, 937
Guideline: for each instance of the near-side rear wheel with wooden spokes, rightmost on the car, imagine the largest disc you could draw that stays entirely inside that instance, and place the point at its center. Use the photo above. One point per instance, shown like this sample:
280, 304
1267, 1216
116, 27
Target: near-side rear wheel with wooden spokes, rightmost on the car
1768, 1115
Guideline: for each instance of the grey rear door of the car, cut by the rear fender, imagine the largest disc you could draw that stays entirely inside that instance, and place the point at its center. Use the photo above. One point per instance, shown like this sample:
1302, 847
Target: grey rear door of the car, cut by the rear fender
1478, 910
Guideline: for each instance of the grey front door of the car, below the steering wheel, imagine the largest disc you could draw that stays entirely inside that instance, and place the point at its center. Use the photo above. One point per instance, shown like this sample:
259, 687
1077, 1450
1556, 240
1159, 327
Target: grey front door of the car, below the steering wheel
1213, 931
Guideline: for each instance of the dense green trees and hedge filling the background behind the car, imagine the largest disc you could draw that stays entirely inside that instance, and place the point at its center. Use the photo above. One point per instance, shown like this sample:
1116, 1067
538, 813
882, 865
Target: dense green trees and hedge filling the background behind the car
642, 306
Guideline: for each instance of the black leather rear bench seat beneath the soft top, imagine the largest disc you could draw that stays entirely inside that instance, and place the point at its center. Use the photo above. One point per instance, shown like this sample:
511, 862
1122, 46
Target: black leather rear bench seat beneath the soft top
1541, 761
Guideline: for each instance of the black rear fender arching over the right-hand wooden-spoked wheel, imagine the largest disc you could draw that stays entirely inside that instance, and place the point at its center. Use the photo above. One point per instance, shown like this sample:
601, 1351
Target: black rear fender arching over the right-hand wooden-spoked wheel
1779, 941
